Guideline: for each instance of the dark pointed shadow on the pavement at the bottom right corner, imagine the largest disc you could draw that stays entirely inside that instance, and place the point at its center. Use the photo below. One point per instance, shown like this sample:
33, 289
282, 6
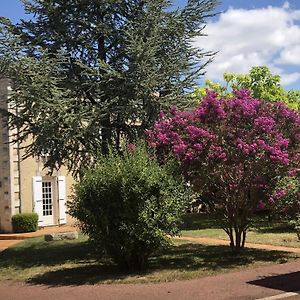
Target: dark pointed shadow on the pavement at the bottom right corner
286, 282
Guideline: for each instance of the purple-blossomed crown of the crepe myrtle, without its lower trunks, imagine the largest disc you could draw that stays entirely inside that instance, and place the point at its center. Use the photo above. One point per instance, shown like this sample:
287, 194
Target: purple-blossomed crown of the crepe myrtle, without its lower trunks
240, 141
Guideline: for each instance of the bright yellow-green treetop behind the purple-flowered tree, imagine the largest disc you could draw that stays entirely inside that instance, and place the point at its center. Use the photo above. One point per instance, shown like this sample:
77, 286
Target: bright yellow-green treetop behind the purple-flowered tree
260, 81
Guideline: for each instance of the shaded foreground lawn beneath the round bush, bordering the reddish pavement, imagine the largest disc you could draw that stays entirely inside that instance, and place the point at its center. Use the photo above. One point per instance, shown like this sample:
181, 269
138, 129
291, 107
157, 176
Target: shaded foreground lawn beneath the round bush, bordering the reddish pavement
76, 262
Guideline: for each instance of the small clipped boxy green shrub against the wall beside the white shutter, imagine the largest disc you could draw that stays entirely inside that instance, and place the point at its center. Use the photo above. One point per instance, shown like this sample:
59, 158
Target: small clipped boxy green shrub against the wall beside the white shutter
25, 222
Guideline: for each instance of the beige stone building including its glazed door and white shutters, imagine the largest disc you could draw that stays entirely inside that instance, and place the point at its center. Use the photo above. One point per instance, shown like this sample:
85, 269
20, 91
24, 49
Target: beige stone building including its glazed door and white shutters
24, 184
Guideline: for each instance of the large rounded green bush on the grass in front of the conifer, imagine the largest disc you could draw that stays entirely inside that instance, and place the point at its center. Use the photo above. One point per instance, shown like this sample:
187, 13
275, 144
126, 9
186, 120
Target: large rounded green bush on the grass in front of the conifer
127, 204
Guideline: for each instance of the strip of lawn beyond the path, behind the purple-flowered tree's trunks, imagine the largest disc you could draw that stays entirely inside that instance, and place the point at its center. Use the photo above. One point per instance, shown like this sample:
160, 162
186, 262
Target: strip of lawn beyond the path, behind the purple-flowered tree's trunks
277, 233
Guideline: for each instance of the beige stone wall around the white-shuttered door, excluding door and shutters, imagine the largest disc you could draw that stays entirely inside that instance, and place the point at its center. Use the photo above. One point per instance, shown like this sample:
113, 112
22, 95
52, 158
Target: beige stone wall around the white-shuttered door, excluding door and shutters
16, 188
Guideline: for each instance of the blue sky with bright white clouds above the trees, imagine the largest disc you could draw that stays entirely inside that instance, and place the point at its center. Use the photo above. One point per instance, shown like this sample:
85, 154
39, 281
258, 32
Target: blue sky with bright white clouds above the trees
245, 34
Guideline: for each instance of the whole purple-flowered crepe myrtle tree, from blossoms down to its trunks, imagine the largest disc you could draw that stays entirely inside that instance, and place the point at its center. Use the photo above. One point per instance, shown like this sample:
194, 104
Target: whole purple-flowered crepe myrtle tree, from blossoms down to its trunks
233, 151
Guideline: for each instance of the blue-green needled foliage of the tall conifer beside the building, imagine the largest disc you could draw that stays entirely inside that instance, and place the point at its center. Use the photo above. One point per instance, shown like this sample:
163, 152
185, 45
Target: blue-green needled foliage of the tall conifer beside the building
93, 71
